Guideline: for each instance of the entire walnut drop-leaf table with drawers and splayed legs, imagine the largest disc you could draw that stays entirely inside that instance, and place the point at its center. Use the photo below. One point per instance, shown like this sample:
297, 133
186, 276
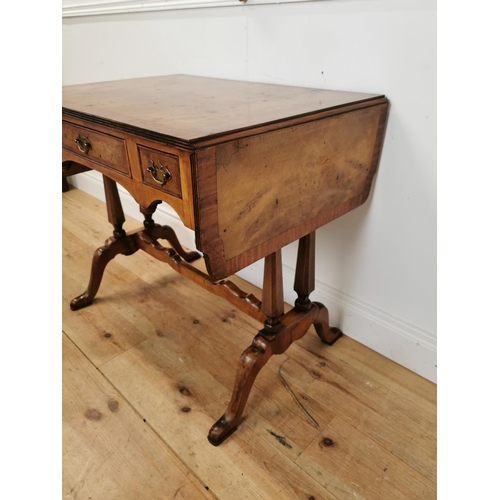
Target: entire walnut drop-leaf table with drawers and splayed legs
249, 167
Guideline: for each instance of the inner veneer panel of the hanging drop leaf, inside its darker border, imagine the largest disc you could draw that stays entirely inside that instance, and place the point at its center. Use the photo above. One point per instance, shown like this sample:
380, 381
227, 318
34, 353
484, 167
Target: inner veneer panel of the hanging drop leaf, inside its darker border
269, 184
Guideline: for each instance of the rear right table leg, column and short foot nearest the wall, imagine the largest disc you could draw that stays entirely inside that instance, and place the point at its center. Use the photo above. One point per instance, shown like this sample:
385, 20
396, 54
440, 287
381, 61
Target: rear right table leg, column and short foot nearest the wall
304, 285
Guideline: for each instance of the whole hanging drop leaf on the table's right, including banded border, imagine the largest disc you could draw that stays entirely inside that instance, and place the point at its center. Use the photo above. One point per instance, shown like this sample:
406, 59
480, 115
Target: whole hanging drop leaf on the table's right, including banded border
257, 194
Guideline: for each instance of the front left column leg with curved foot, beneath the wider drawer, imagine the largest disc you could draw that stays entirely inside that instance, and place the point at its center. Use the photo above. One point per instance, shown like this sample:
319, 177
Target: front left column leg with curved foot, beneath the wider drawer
119, 243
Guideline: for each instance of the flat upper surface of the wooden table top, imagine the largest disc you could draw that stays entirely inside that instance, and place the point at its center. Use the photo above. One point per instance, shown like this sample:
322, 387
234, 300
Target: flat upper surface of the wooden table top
192, 108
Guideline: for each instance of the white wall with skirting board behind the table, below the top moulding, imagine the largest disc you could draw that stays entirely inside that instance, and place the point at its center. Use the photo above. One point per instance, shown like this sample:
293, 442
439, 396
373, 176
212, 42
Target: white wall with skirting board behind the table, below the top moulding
376, 266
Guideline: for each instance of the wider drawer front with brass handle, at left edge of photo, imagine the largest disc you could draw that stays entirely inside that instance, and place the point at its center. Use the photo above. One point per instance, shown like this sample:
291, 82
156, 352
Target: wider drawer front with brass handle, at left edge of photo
101, 148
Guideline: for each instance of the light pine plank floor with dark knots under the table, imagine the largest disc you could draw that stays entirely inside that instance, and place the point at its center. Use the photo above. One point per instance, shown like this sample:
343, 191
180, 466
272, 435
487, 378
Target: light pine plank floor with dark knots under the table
150, 366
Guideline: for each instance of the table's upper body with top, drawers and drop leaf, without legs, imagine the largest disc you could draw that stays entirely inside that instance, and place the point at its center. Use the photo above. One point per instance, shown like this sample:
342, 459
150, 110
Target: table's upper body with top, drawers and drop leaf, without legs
252, 167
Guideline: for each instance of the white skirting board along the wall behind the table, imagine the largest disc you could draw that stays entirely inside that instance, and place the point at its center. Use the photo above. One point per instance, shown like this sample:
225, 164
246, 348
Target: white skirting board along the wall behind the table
394, 338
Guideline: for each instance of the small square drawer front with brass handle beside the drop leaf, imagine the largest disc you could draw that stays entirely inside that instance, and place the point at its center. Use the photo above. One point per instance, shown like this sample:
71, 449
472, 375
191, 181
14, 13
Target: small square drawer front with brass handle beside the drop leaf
160, 170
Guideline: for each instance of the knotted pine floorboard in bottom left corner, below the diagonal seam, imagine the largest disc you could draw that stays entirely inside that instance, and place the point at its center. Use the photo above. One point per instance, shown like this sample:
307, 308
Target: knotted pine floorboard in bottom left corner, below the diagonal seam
108, 450
